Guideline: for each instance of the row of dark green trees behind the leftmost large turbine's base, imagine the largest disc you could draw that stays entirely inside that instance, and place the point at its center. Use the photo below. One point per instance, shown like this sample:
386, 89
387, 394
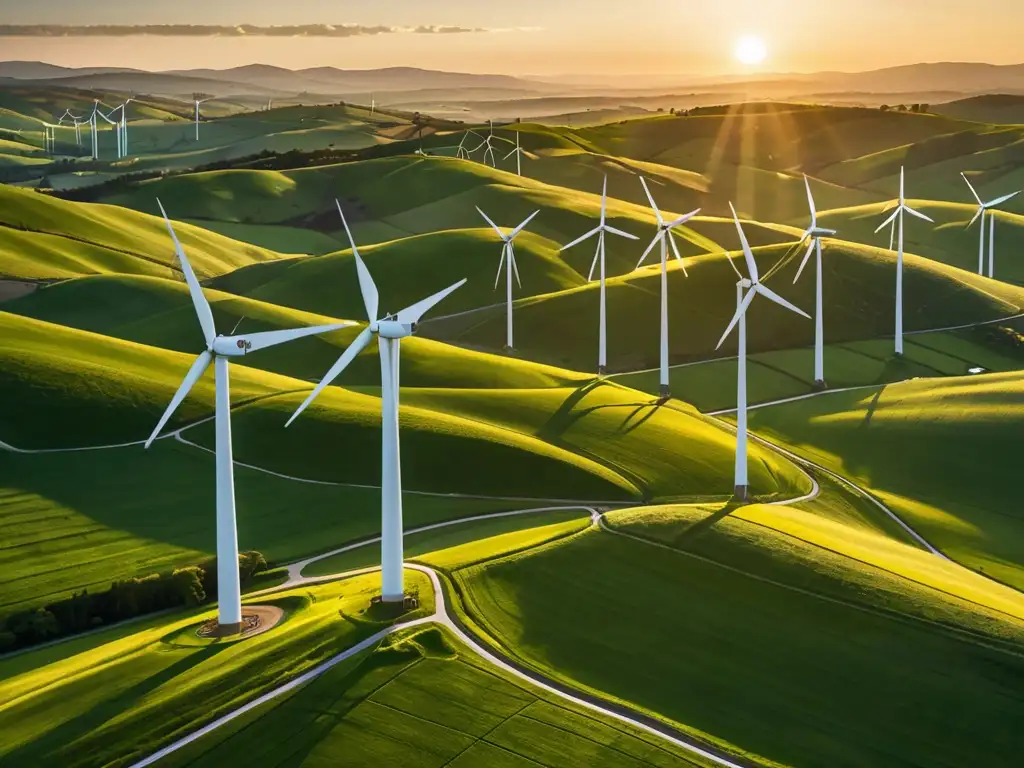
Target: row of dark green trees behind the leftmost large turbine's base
127, 599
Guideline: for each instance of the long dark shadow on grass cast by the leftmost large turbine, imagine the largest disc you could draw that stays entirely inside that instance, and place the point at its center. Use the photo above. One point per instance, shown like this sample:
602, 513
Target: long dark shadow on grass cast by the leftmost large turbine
40, 751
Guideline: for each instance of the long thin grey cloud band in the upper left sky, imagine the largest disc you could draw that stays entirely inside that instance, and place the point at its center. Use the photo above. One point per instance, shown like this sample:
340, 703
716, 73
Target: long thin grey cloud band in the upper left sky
245, 30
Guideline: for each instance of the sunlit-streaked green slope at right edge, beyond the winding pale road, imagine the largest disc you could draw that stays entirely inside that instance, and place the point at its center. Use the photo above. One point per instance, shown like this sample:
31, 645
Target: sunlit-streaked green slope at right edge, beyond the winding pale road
941, 453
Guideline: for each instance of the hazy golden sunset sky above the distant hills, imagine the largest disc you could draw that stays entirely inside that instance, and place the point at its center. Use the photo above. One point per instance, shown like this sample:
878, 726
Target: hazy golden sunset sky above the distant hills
534, 37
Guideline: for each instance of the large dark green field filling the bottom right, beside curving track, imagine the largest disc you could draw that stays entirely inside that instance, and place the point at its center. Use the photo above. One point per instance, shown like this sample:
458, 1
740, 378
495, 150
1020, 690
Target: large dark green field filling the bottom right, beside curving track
801, 663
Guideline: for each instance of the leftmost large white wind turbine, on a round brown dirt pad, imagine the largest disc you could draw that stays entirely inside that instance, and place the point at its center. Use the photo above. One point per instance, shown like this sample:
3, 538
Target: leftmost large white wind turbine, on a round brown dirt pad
220, 350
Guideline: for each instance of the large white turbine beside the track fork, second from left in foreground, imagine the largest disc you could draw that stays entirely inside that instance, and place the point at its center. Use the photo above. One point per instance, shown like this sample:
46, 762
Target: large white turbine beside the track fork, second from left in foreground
391, 330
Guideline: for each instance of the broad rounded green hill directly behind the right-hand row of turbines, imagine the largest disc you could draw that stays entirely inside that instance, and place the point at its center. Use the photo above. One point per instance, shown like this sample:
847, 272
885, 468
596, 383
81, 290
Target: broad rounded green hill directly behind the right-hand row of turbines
860, 286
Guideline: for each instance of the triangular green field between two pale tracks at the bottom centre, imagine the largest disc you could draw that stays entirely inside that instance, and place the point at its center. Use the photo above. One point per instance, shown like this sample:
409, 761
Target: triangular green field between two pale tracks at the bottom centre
423, 700
